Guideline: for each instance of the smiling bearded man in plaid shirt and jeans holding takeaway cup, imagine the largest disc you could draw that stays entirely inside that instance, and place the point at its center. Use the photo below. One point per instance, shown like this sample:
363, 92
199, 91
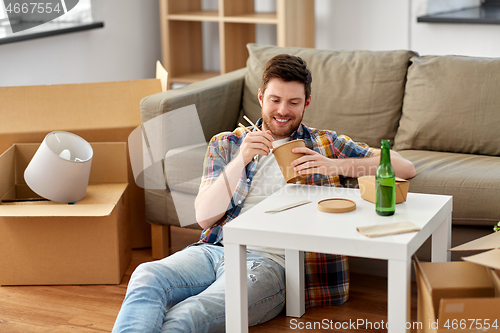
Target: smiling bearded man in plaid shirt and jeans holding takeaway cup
239, 172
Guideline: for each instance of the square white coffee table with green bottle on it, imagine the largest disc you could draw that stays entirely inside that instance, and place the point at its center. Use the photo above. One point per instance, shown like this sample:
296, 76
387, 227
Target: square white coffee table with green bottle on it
305, 228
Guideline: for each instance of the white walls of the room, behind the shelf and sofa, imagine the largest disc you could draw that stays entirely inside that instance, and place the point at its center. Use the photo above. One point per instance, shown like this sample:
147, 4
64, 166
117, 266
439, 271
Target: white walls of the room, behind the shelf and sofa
129, 44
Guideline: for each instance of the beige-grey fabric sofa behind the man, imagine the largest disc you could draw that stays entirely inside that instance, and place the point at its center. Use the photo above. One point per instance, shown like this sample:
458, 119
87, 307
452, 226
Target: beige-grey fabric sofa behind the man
440, 112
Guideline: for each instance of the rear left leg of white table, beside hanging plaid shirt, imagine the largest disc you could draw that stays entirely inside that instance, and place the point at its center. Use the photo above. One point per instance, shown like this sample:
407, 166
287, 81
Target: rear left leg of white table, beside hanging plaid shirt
295, 298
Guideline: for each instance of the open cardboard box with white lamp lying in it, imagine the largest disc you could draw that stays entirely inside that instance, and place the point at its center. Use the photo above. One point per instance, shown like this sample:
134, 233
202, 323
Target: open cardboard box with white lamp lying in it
47, 243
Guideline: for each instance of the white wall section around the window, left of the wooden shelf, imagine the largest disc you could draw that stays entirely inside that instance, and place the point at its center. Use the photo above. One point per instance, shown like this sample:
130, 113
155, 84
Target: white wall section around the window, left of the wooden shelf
125, 49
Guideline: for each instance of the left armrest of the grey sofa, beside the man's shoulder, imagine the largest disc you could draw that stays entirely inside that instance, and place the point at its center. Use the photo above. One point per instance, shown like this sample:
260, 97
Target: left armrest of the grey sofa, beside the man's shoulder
218, 102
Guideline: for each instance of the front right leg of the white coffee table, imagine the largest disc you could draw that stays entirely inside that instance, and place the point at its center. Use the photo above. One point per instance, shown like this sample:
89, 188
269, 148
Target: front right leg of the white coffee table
399, 295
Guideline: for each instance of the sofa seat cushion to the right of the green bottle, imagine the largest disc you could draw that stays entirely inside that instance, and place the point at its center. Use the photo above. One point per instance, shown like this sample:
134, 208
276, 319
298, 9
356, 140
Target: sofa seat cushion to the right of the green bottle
472, 180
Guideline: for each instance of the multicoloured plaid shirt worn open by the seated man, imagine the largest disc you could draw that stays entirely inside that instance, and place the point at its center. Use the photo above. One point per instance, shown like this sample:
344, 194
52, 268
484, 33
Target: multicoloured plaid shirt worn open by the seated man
327, 279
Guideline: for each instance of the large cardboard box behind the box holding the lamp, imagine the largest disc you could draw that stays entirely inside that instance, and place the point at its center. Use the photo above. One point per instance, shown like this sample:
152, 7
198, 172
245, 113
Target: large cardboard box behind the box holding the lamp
98, 112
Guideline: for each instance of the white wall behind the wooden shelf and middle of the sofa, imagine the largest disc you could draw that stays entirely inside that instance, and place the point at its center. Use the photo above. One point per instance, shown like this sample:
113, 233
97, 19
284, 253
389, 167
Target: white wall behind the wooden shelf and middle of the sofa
340, 25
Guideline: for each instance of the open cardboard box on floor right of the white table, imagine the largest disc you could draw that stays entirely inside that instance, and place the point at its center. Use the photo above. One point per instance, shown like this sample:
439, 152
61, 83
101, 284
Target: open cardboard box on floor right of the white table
467, 293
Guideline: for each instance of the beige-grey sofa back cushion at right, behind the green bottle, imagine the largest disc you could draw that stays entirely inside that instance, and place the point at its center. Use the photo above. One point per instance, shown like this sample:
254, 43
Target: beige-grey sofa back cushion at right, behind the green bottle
452, 104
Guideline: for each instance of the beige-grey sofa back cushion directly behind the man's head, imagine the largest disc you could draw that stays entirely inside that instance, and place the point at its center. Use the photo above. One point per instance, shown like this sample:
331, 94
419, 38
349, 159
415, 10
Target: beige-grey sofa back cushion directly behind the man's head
356, 93
